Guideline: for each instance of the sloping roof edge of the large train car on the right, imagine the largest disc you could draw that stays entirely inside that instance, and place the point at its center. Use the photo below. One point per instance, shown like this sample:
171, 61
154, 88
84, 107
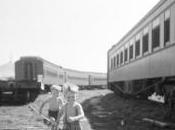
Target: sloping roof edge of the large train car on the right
138, 24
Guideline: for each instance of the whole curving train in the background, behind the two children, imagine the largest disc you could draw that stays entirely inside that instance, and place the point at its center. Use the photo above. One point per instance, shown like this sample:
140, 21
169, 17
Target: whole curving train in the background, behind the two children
34, 75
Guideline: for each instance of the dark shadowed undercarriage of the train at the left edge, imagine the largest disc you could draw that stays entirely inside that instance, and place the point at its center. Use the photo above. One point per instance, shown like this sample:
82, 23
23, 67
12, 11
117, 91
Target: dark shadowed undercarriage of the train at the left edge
19, 92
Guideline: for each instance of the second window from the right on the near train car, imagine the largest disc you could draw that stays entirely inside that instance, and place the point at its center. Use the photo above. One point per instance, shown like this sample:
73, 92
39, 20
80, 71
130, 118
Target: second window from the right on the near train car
156, 34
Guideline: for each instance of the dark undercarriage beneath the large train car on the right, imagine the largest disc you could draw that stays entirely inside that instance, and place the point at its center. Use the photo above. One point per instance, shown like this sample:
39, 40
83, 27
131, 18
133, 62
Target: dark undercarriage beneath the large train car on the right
164, 86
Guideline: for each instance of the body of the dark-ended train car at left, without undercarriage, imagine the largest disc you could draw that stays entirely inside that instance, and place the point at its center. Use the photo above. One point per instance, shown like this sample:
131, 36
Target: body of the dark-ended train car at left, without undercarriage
31, 68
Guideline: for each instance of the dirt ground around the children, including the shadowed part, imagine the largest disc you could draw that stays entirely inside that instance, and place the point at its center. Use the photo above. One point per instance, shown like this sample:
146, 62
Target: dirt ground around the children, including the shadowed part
103, 109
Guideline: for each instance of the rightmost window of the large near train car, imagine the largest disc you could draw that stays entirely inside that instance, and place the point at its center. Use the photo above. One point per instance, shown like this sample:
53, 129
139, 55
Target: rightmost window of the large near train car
167, 27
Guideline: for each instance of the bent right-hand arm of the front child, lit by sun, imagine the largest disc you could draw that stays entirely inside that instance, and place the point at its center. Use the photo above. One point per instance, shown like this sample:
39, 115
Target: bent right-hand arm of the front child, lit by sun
80, 114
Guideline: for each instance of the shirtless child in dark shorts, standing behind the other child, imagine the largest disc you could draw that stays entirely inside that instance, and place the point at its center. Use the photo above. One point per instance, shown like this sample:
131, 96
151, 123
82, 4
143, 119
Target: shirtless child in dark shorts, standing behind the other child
55, 102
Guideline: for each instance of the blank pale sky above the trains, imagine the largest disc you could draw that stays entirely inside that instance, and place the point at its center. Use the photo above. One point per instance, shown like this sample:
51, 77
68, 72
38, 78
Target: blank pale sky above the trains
75, 34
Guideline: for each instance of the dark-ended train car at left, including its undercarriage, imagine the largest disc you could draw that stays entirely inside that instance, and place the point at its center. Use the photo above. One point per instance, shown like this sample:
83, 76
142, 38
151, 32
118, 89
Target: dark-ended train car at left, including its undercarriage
31, 72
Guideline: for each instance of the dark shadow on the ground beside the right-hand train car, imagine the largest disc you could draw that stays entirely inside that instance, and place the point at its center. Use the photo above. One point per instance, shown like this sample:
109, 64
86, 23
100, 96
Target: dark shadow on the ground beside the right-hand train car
111, 112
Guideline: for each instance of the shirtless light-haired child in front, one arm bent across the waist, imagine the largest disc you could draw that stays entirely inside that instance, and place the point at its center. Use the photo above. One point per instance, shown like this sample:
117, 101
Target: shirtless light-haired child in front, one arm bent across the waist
72, 110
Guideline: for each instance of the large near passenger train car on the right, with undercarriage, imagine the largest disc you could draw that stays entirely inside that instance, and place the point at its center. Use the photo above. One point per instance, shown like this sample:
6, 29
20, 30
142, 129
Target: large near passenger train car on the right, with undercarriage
142, 62
